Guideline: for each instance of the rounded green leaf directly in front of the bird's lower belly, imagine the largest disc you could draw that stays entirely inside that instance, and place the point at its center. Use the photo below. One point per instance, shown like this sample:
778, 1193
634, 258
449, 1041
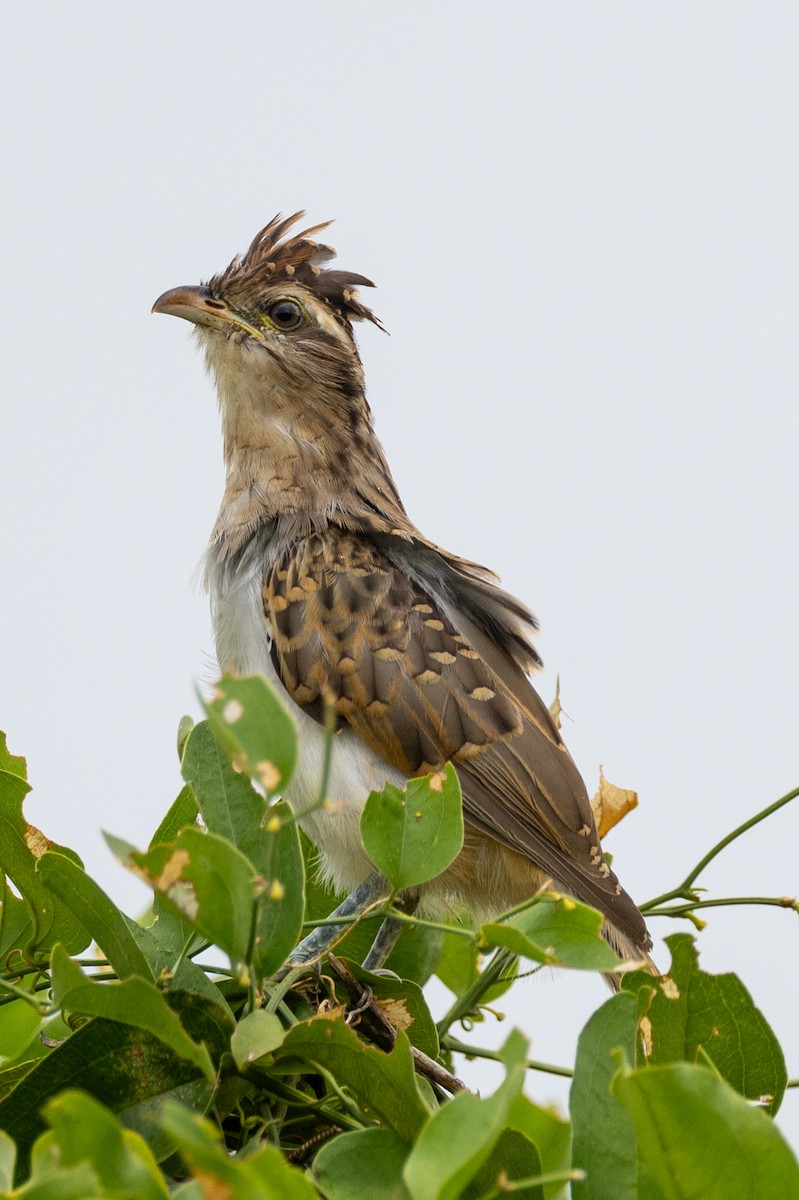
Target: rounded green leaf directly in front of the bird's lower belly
412, 835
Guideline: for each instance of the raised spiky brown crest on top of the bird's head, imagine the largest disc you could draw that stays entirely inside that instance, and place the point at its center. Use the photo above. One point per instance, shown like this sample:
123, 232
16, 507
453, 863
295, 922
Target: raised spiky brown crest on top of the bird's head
273, 259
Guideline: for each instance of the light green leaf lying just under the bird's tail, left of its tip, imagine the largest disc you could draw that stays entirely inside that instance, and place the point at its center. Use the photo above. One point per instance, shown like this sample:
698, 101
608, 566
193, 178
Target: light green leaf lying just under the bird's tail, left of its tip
555, 929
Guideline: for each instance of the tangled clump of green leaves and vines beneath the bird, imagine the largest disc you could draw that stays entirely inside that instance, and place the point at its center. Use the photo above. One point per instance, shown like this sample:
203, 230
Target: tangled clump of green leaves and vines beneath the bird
151, 1069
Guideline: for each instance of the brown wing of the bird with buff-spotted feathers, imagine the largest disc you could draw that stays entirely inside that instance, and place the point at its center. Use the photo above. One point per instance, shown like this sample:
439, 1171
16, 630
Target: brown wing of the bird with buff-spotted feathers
424, 682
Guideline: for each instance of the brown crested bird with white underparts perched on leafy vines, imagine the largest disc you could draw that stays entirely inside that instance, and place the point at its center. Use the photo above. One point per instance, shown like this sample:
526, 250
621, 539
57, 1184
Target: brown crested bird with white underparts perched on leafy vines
321, 583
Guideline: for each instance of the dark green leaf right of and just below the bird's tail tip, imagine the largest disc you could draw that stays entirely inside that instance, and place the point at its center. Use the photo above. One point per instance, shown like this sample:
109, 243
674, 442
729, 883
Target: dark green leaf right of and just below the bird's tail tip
693, 1011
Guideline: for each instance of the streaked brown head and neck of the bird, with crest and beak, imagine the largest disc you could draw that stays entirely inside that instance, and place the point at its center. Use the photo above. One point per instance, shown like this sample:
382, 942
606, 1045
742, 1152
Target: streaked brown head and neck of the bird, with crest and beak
277, 328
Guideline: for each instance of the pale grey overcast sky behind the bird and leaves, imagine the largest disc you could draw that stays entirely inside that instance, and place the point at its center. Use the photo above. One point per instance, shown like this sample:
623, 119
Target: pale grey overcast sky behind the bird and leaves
582, 220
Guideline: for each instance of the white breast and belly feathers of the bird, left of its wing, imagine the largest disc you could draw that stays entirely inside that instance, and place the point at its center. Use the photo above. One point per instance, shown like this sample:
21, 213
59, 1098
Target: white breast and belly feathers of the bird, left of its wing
243, 643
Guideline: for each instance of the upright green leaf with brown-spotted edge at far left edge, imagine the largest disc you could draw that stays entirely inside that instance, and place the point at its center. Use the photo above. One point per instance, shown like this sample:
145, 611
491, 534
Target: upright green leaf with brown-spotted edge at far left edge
21, 844
